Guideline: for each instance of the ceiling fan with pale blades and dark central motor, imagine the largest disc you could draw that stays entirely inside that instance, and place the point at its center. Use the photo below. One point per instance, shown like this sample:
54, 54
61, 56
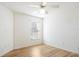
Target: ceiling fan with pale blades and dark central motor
43, 6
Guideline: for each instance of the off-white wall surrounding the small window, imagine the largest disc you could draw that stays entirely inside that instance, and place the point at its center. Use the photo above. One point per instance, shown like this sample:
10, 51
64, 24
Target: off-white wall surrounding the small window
23, 30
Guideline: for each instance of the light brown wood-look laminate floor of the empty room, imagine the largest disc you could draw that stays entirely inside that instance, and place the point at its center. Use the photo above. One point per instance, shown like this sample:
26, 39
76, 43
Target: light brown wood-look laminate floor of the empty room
40, 51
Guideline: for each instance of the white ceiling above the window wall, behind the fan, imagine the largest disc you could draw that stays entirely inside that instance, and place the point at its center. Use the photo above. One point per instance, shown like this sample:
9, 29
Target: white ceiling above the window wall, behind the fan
23, 7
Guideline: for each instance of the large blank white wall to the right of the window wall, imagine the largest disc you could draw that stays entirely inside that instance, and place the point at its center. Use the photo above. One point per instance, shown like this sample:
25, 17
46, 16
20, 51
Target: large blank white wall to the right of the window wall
61, 26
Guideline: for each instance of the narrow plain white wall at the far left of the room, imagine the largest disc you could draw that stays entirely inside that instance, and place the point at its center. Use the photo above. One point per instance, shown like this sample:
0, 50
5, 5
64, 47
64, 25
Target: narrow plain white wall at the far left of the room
6, 30
